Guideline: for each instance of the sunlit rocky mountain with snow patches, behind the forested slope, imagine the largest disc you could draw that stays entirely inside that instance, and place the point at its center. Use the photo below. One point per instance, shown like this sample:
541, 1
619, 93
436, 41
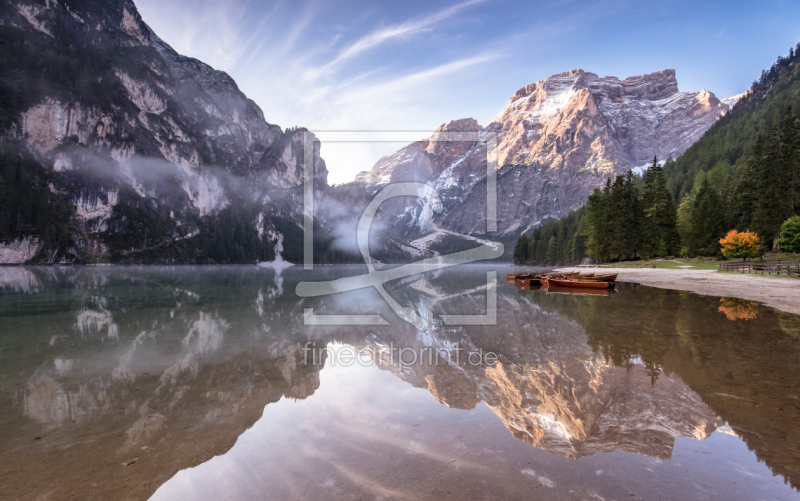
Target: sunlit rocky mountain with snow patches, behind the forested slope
557, 140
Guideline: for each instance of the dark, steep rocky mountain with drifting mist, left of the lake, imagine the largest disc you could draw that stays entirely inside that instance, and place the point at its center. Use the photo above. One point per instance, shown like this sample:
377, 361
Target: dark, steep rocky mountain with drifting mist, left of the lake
117, 148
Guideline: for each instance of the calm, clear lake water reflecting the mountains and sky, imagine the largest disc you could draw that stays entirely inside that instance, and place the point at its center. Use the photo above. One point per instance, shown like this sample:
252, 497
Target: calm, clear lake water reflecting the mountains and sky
193, 383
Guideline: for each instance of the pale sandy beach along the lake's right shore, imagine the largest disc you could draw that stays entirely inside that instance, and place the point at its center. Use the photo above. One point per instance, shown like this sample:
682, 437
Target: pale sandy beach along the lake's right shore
780, 293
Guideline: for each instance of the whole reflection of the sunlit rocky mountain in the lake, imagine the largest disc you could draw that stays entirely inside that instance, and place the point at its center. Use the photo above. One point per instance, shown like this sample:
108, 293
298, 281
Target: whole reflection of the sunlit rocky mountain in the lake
550, 388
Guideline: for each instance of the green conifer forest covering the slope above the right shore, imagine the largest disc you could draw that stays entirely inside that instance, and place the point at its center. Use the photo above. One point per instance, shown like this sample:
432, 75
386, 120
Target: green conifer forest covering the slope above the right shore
743, 174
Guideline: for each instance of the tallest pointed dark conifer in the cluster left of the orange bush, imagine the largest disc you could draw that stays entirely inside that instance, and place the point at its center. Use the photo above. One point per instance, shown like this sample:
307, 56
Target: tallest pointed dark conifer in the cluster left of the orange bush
659, 234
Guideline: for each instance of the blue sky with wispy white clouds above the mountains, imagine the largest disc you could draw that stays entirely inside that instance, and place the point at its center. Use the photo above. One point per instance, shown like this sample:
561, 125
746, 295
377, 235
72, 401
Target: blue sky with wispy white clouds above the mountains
414, 65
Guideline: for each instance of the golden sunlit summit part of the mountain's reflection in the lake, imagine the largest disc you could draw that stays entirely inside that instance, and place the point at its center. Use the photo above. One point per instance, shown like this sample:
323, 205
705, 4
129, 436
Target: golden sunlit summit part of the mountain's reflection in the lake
576, 418
